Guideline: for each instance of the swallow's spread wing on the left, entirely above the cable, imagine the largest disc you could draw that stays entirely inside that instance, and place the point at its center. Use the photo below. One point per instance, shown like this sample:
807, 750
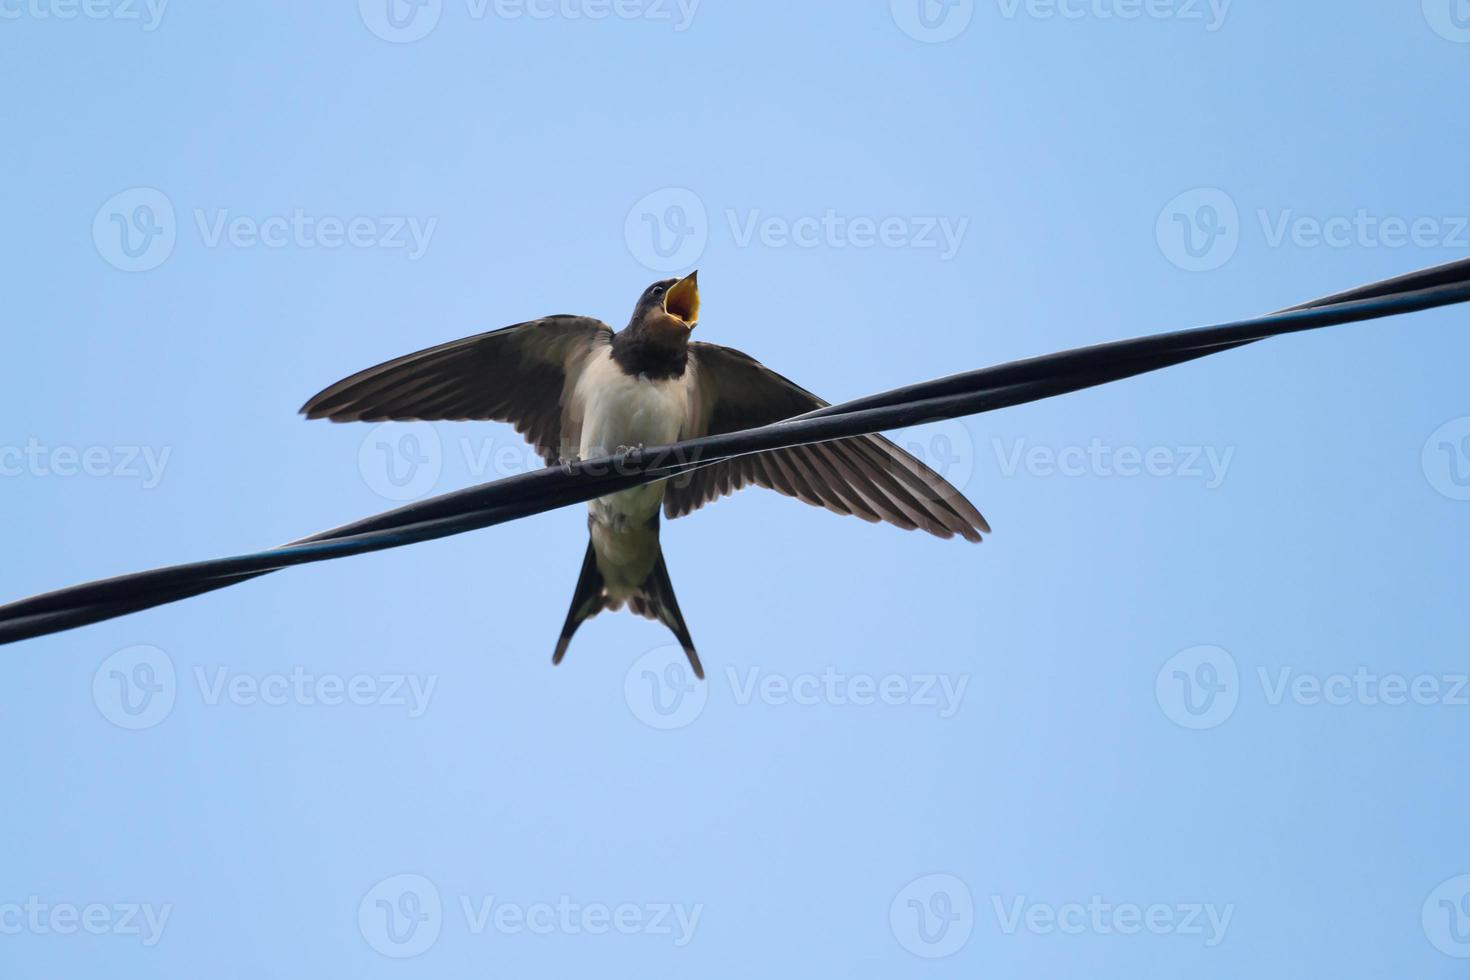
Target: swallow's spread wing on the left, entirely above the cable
521, 374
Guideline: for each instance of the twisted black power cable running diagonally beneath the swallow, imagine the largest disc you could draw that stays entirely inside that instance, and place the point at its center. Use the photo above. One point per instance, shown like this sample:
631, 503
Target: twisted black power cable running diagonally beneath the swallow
527, 494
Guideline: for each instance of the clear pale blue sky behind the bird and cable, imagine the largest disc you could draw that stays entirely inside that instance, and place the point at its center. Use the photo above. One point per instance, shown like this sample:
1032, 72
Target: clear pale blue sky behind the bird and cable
1193, 710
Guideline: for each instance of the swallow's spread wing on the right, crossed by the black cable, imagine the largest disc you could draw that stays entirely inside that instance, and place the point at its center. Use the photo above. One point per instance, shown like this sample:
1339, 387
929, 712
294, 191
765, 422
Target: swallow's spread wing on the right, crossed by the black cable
868, 475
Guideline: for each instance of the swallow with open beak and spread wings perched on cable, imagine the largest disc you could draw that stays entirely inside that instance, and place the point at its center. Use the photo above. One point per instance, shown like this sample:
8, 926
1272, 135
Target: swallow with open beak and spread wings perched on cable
578, 390
